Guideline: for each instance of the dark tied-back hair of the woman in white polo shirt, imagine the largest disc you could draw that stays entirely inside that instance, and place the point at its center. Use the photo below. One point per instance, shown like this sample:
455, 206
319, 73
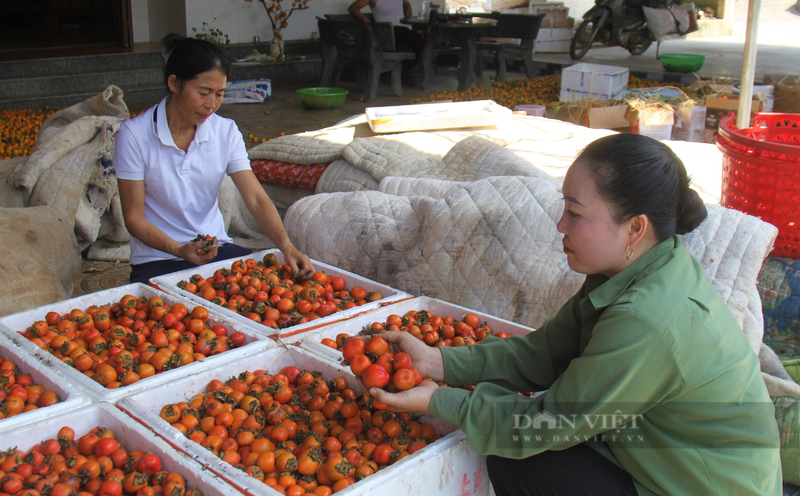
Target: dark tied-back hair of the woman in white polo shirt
187, 58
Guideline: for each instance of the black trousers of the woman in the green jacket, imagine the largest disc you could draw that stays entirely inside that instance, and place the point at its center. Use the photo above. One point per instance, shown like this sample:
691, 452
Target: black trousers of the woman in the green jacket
575, 471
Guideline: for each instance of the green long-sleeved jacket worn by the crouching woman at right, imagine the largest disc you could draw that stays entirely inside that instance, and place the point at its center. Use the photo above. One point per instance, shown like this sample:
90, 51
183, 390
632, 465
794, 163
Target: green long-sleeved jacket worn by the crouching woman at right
649, 367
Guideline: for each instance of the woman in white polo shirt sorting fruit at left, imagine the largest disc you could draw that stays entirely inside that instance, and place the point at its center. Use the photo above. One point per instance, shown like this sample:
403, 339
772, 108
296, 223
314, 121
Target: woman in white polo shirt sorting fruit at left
170, 162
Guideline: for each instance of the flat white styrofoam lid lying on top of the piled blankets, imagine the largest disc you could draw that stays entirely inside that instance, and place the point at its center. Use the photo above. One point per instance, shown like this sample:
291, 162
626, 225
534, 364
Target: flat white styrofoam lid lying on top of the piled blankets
429, 116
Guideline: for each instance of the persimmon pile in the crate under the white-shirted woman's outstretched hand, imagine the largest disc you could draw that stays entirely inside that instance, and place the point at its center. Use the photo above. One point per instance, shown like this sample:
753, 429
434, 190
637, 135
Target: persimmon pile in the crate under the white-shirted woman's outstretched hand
266, 292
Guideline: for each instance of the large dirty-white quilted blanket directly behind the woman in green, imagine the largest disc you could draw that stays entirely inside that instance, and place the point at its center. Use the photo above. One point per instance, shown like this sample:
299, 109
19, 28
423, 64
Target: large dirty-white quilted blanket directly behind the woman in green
492, 245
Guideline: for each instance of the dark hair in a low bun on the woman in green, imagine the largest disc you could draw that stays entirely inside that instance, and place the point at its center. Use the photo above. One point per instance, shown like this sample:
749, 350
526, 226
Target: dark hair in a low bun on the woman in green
639, 175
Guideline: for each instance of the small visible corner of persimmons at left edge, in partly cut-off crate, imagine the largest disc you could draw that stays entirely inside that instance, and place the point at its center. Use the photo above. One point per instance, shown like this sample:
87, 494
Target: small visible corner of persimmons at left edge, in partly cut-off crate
18, 392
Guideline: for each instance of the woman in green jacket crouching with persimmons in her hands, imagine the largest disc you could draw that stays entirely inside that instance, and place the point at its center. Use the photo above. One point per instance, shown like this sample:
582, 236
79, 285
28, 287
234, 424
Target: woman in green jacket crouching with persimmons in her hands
649, 384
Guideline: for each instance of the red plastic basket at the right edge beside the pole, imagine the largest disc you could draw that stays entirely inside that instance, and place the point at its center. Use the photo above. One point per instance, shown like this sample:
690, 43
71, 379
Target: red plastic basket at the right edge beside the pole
761, 173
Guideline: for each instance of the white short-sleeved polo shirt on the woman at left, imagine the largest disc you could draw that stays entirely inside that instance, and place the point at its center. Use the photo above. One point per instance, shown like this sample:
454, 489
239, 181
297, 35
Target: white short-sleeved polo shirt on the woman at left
180, 188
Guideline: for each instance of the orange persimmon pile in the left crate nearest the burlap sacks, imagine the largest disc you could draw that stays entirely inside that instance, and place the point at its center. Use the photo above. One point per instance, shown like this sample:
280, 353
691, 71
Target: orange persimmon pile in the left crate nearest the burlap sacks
121, 343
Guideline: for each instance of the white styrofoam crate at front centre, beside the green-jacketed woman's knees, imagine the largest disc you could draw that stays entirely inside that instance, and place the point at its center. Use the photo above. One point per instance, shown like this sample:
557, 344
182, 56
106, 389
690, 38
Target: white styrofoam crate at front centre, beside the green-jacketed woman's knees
445, 464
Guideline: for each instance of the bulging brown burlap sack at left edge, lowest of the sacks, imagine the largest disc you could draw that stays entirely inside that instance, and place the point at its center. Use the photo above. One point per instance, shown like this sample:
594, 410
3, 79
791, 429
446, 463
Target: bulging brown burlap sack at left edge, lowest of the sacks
39, 257
